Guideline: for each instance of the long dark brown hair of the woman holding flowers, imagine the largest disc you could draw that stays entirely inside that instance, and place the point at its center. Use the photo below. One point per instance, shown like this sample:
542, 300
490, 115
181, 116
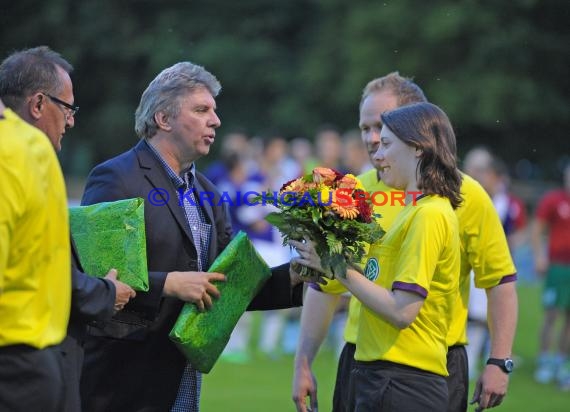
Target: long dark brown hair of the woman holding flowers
426, 127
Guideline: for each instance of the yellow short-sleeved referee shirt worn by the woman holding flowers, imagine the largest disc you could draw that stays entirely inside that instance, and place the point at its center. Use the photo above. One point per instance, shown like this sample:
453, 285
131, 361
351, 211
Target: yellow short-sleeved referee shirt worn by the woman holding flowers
420, 254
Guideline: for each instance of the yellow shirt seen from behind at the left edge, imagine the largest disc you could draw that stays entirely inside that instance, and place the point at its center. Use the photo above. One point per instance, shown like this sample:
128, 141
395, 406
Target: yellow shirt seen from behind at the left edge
35, 278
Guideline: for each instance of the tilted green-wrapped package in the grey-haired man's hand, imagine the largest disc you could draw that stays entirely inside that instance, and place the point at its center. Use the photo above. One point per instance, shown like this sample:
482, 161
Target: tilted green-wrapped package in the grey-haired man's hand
202, 336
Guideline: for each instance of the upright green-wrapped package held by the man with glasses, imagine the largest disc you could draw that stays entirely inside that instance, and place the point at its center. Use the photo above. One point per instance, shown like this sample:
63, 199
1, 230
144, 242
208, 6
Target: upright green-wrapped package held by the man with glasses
112, 235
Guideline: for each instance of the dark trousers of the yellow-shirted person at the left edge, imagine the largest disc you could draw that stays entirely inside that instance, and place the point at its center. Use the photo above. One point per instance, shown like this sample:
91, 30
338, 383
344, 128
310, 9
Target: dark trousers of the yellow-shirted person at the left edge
30, 379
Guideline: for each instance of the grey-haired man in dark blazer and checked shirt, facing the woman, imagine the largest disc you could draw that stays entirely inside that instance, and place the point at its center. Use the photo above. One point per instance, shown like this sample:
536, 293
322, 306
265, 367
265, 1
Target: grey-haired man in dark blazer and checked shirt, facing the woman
134, 366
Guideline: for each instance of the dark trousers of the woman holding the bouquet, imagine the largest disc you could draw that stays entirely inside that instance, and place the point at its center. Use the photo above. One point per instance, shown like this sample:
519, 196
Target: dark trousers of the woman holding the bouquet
387, 386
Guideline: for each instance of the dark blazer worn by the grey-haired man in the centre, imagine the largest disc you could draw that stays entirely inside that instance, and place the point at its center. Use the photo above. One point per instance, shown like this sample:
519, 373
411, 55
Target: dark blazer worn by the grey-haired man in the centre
134, 366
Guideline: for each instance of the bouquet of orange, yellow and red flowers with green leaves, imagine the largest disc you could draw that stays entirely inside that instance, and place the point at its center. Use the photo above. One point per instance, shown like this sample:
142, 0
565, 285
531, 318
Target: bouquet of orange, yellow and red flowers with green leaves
333, 211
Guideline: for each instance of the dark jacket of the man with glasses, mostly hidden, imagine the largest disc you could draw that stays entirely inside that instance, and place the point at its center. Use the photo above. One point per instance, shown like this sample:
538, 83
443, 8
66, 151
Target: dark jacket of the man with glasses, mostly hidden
92, 301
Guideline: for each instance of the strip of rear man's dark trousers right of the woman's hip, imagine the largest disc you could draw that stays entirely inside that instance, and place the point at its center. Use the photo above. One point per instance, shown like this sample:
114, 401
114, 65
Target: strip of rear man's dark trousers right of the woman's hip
458, 379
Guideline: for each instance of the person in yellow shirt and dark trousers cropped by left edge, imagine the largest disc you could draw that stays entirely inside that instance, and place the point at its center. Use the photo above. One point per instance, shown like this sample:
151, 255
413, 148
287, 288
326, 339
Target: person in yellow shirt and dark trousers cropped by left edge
35, 281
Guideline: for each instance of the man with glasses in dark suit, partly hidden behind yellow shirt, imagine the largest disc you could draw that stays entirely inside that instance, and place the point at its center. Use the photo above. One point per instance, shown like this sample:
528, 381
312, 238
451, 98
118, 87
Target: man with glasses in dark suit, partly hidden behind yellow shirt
35, 83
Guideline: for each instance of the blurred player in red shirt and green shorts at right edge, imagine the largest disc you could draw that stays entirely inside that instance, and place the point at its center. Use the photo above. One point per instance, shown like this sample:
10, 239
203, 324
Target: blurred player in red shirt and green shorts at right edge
553, 220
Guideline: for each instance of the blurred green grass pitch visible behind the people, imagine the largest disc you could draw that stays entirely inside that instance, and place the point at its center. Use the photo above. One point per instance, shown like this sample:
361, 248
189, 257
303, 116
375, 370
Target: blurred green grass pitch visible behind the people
265, 385
